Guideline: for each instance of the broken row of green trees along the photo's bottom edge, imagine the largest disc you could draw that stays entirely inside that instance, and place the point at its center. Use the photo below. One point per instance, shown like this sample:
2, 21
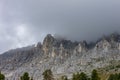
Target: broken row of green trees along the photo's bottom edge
48, 75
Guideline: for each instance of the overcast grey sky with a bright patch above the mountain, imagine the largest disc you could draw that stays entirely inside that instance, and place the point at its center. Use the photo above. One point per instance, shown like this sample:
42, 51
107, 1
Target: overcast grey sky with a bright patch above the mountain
25, 22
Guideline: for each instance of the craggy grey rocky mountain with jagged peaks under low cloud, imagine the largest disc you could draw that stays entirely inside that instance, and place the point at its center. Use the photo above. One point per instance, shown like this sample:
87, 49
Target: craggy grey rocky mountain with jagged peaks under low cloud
63, 57
